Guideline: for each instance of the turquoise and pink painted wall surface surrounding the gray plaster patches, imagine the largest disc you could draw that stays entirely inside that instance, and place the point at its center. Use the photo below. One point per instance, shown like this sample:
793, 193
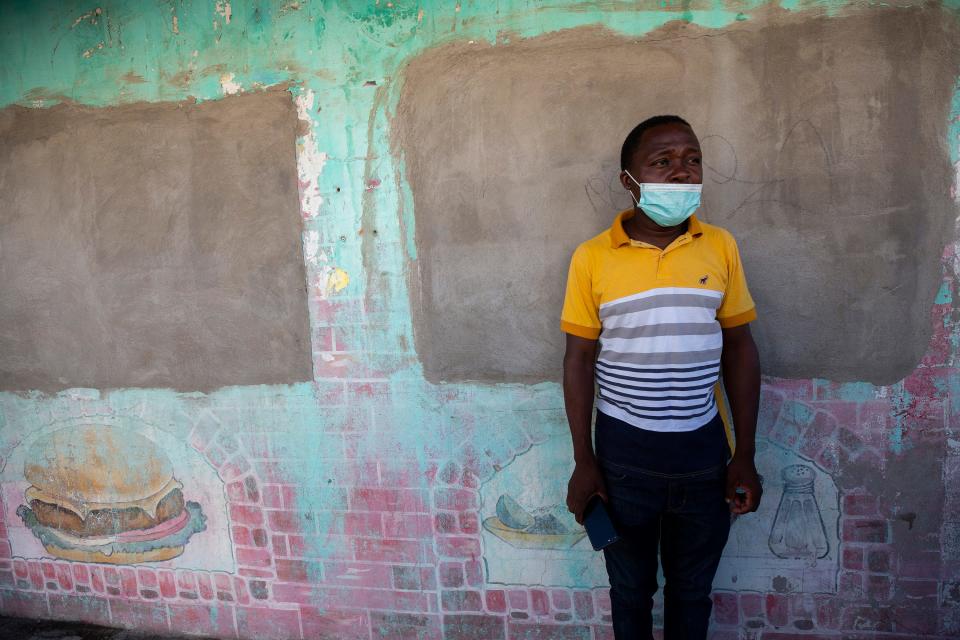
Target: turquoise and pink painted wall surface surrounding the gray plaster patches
369, 471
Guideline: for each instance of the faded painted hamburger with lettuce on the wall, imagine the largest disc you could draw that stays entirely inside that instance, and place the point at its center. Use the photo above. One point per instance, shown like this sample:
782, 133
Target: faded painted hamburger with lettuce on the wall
102, 494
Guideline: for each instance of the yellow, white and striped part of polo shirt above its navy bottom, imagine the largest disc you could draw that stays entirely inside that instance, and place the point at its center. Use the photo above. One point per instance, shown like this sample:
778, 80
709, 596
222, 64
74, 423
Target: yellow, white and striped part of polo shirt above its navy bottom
658, 315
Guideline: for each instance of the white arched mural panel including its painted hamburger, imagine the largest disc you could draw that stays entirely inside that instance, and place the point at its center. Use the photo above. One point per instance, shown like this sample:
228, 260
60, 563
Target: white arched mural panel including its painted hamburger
112, 494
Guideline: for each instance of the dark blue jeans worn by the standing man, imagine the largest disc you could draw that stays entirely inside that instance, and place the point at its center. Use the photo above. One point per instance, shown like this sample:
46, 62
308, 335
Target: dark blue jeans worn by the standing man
686, 518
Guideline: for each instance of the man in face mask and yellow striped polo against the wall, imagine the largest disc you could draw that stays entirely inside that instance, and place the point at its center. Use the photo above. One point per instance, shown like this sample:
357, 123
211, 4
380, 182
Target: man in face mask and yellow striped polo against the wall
656, 307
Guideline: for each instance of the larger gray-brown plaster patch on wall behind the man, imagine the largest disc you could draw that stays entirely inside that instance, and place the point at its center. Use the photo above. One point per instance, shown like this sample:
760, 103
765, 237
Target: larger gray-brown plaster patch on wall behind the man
825, 145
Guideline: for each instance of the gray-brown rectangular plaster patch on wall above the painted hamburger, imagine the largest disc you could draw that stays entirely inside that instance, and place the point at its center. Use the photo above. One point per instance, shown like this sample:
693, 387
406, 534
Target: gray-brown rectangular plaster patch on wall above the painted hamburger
152, 245
